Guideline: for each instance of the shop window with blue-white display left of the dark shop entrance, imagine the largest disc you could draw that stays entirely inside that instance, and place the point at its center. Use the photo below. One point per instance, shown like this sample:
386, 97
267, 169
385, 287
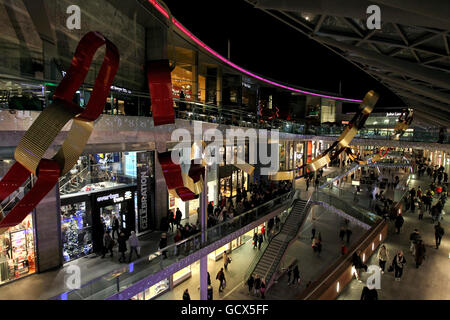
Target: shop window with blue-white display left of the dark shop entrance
76, 227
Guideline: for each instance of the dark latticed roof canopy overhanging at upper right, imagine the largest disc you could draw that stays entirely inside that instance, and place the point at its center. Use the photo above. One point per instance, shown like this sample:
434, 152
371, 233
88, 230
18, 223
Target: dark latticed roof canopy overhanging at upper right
410, 53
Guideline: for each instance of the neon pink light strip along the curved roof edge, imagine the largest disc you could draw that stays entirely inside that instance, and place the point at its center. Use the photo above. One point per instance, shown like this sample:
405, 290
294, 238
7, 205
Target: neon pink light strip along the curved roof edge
214, 53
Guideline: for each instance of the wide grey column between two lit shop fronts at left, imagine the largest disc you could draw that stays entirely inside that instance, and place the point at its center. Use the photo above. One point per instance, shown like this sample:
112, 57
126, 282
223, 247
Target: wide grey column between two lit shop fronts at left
47, 222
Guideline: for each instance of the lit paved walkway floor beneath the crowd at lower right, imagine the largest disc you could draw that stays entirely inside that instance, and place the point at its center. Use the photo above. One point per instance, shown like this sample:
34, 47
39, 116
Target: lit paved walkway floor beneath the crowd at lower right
432, 279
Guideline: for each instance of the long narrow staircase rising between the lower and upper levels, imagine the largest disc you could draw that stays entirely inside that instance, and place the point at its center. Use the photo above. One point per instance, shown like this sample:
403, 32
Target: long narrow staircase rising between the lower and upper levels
271, 258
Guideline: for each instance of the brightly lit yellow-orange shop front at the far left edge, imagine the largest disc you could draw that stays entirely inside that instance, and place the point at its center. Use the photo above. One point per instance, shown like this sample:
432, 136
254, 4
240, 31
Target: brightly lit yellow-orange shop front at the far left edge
17, 251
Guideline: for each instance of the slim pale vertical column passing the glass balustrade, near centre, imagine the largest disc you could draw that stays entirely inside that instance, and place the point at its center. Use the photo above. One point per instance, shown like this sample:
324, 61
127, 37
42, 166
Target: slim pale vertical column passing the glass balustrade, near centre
204, 226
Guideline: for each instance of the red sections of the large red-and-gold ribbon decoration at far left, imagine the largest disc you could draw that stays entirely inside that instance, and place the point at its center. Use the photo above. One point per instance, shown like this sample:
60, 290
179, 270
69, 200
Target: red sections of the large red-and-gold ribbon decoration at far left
48, 170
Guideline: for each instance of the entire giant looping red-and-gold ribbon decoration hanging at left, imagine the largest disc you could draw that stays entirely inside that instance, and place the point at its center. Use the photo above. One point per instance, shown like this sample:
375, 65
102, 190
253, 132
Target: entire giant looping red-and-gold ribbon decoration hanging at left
41, 134
